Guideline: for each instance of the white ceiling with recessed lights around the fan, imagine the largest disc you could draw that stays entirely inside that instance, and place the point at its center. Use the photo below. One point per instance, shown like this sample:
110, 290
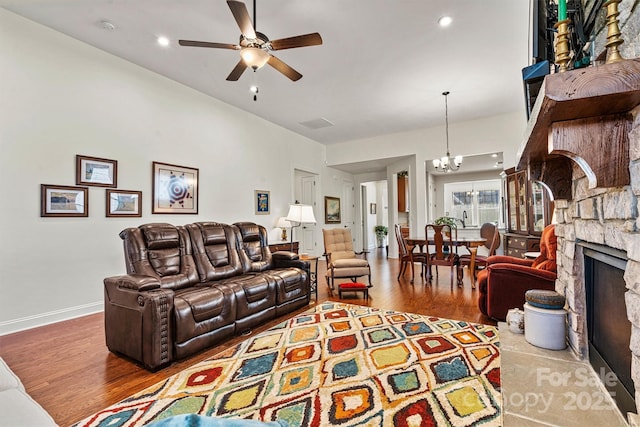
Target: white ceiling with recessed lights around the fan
381, 69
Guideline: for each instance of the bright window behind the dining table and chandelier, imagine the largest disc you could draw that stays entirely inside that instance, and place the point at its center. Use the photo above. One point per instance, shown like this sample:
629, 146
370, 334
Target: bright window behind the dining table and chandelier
474, 202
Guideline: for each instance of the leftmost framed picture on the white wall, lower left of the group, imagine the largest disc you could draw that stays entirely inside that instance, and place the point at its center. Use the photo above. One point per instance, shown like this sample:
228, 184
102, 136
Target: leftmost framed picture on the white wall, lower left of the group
62, 200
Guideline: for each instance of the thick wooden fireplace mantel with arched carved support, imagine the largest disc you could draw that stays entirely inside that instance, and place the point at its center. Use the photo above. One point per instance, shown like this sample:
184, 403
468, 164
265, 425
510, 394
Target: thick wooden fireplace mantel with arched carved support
584, 116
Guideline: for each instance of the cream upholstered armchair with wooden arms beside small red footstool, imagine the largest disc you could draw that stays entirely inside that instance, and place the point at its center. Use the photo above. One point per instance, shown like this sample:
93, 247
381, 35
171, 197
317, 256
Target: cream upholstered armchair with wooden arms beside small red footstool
342, 261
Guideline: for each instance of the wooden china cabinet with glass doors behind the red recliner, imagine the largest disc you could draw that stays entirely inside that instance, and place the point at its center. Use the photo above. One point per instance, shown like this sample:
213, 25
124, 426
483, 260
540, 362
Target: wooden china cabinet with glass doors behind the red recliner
528, 212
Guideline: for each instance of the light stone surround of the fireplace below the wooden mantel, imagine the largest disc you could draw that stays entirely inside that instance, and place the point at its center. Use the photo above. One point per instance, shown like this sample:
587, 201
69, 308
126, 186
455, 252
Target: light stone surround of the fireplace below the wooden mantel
607, 217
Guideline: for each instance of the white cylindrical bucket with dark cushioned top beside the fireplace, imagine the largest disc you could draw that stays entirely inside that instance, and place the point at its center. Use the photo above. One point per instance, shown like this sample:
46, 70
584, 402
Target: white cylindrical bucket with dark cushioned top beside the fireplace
545, 328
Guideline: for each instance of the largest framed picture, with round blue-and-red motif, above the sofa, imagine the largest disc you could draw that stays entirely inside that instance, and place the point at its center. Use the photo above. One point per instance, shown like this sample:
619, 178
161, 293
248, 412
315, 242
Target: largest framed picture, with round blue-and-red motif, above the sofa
175, 189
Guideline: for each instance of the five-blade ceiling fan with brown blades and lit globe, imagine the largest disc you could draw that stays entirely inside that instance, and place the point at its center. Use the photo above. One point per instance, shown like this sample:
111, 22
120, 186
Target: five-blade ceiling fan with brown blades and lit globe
255, 47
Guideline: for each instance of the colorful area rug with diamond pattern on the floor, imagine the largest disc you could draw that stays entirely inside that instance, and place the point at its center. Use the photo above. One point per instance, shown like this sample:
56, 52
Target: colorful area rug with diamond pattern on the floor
337, 365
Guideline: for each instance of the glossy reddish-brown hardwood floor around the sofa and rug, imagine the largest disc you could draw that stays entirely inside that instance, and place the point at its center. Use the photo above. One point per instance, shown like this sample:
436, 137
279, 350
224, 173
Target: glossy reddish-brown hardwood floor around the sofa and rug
67, 368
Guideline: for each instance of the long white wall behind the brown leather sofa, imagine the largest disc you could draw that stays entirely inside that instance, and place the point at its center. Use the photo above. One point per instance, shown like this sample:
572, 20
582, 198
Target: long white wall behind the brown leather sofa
60, 98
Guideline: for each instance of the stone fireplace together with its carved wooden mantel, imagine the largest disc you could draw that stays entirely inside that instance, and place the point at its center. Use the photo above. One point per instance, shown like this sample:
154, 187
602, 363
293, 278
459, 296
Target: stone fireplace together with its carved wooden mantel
583, 142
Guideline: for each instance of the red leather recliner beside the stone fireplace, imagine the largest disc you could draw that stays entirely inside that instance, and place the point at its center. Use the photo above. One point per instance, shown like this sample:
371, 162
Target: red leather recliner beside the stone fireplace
506, 279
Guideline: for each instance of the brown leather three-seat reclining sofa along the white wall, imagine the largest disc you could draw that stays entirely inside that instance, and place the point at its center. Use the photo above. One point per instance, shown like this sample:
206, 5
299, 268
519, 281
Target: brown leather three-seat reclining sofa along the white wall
189, 287
